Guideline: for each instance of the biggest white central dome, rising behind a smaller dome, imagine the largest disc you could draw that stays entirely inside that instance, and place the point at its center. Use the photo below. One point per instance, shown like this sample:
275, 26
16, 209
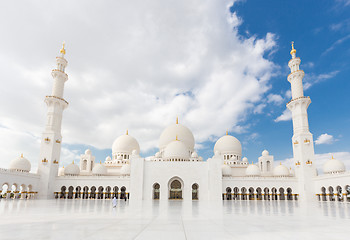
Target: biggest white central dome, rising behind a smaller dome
183, 134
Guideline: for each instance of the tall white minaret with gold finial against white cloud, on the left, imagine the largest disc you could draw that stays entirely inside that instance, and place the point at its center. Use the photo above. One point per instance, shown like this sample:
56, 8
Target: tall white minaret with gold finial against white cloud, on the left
51, 137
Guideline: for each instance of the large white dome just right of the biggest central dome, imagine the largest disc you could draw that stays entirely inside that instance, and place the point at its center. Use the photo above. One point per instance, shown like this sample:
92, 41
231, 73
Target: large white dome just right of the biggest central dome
228, 145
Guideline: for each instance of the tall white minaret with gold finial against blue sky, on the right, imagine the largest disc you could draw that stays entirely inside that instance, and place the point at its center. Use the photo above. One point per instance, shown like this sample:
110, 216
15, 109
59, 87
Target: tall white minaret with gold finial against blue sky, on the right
303, 144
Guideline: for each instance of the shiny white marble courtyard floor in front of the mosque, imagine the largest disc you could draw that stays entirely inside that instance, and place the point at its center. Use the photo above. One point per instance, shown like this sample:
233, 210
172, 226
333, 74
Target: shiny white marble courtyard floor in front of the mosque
96, 219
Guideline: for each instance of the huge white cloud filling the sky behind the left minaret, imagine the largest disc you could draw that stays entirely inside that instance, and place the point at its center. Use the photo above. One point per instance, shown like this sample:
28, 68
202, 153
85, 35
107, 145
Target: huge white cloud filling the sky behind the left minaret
132, 65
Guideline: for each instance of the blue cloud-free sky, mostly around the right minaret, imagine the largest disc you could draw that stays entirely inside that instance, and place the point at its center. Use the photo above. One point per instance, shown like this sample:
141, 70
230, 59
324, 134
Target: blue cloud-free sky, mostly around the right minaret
321, 33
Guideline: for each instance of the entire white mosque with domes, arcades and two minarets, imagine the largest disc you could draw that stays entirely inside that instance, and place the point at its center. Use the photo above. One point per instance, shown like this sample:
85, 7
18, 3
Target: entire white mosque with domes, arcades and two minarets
176, 171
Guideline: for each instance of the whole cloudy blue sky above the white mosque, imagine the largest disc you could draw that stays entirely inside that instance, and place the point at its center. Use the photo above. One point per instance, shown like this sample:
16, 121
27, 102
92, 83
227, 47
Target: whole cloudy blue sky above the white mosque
137, 65
